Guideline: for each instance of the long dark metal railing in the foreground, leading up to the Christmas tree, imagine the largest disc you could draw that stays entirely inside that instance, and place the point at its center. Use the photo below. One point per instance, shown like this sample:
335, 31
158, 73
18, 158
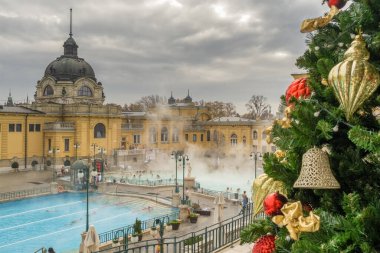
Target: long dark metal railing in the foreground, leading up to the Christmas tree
206, 240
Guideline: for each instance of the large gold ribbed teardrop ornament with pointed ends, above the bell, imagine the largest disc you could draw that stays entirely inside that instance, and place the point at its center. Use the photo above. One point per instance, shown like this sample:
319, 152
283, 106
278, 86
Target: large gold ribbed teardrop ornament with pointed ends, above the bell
354, 79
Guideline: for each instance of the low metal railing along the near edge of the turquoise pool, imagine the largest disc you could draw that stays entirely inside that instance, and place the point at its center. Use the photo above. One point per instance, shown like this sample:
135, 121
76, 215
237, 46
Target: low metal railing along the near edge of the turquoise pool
128, 230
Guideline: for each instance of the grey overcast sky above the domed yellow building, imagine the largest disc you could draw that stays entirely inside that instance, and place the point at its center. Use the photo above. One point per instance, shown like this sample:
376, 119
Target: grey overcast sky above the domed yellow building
225, 50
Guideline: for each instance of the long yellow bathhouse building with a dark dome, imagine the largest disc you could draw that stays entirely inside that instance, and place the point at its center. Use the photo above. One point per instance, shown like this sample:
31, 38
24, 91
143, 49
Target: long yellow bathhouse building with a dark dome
68, 120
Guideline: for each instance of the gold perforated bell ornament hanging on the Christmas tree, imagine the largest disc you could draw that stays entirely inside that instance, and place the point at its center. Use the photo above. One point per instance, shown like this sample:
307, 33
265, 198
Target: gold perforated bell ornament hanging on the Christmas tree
316, 172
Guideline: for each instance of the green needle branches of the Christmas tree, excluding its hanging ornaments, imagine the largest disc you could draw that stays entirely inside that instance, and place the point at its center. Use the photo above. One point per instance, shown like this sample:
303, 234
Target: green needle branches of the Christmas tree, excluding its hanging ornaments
350, 216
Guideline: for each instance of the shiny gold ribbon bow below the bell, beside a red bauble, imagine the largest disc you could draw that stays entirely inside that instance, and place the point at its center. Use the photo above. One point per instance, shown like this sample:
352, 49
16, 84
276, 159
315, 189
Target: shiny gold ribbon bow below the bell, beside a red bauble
294, 220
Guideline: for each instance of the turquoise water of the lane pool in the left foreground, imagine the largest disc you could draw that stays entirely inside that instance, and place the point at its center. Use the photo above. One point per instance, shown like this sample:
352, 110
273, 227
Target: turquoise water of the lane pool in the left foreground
58, 220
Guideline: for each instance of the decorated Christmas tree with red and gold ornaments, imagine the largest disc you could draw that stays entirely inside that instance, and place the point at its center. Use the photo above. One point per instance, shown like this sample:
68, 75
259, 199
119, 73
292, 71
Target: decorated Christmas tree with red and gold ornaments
336, 112
